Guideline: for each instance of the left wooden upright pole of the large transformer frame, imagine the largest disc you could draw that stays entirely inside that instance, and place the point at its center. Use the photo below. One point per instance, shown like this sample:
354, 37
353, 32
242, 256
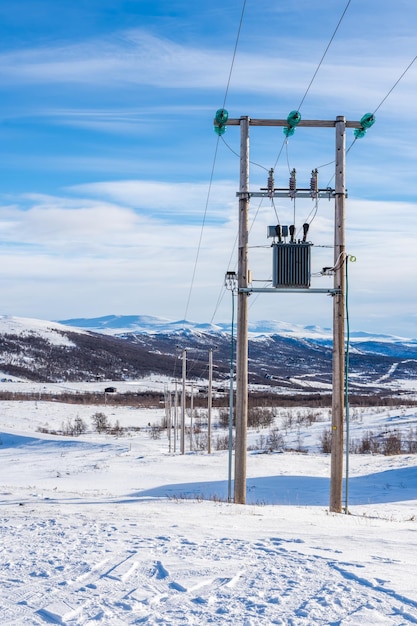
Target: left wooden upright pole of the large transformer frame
242, 320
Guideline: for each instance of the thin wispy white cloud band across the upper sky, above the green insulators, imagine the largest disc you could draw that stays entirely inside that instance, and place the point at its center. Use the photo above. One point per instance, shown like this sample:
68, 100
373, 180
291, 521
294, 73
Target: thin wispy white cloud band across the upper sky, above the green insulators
139, 58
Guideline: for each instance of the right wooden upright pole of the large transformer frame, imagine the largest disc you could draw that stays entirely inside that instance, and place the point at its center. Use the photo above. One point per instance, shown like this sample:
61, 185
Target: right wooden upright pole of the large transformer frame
338, 323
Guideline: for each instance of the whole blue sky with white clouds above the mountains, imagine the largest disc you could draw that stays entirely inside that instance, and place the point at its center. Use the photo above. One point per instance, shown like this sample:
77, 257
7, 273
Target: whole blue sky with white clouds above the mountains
108, 150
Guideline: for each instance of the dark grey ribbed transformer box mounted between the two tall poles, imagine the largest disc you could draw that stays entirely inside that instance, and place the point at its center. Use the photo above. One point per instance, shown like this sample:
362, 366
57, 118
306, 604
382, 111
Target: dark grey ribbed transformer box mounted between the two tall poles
291, 264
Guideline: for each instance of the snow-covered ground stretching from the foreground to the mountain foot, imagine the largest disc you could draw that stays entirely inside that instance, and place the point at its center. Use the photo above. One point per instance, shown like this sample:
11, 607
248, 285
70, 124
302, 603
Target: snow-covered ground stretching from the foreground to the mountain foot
108, 530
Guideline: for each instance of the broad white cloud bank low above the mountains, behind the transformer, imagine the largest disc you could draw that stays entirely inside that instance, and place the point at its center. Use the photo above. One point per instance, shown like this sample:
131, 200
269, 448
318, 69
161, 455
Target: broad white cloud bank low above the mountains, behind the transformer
119, 257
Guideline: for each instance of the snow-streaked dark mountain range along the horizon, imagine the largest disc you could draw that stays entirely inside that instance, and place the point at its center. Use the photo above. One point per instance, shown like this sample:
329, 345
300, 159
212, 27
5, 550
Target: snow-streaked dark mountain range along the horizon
282, 356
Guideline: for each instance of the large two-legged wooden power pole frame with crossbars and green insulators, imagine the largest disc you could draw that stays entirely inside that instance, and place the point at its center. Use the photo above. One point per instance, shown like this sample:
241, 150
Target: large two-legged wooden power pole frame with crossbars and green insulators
338, 292
